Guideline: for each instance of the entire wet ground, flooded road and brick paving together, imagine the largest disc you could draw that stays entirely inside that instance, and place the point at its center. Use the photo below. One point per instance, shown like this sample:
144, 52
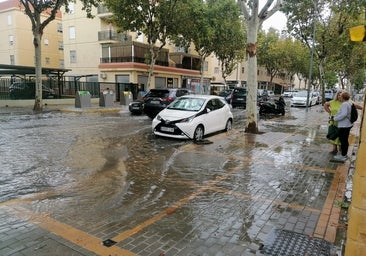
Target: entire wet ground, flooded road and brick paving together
101, 184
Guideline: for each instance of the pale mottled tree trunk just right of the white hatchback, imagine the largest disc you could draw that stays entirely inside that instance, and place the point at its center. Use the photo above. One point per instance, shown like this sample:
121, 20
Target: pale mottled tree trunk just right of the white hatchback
252, 86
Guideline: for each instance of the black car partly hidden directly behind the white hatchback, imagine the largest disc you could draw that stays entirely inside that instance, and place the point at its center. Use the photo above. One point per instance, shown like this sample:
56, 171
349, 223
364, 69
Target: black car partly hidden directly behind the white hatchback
158, 99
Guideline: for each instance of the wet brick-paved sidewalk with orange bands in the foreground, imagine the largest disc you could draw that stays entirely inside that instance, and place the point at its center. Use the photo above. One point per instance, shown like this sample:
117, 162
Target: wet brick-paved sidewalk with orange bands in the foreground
274, 193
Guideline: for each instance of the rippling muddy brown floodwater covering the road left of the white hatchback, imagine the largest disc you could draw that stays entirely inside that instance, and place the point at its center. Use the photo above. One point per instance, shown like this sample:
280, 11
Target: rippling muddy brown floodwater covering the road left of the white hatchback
78, 161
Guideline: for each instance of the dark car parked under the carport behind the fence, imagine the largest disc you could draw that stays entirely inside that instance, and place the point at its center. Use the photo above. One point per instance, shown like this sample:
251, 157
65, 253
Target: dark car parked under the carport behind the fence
24, 90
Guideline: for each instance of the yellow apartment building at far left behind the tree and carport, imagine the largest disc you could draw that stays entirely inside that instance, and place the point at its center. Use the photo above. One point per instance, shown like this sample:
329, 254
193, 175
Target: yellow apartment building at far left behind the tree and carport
16, 40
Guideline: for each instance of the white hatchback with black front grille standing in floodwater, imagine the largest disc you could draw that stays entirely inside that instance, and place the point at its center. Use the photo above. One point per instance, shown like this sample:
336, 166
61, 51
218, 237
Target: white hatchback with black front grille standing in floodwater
193, 117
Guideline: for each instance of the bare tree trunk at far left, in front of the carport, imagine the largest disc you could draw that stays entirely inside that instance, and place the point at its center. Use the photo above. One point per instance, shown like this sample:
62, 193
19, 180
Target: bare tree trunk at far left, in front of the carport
38, 106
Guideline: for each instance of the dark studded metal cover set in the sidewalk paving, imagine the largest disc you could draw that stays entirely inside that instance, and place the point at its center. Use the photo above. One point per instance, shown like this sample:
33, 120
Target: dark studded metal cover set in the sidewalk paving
289, 243
